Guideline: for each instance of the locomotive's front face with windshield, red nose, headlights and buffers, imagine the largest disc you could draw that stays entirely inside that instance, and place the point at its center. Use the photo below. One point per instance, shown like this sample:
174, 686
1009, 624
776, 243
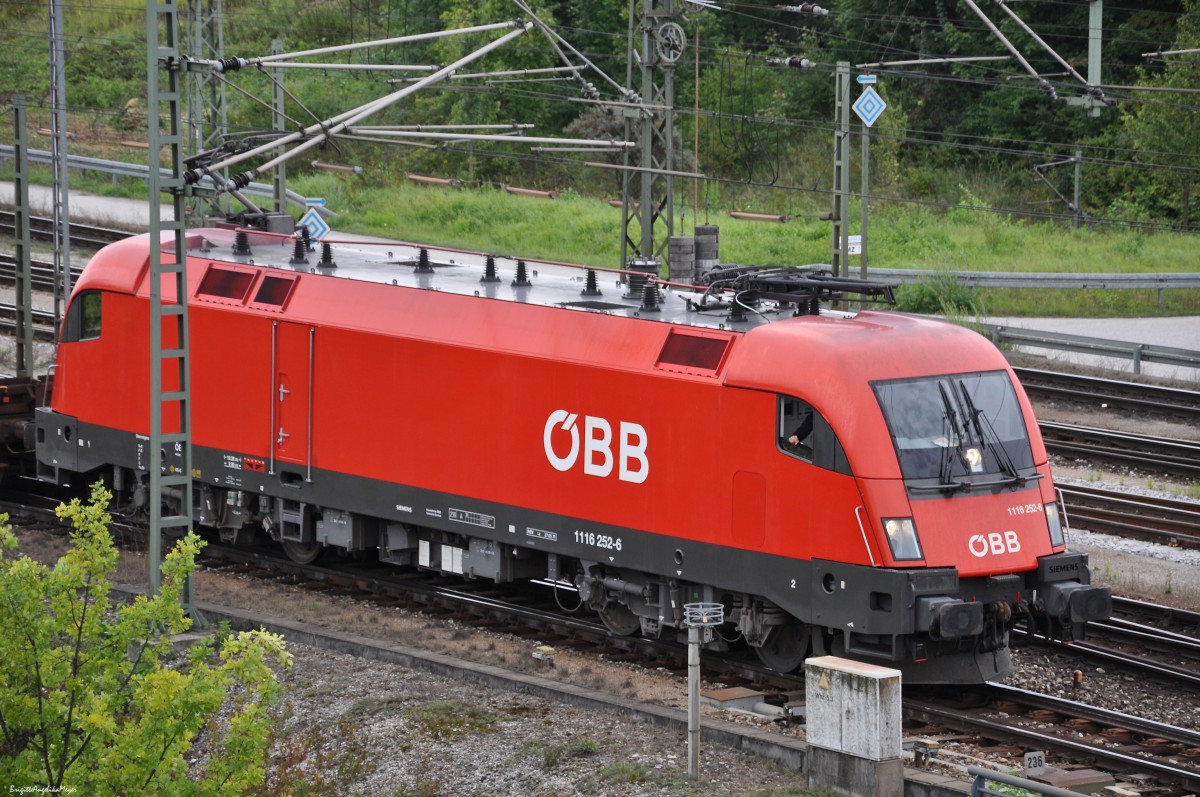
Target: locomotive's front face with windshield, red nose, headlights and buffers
976, 511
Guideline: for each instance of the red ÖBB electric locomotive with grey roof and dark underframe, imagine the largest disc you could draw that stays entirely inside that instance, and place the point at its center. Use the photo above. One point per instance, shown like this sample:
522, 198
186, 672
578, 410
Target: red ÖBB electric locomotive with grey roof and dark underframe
867, 484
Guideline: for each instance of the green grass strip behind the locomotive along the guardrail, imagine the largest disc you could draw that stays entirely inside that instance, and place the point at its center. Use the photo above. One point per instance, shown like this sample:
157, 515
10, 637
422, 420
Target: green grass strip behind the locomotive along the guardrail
589, 231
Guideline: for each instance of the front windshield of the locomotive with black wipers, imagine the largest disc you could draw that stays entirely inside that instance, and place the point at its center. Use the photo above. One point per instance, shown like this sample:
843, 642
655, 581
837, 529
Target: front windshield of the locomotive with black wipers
957, 427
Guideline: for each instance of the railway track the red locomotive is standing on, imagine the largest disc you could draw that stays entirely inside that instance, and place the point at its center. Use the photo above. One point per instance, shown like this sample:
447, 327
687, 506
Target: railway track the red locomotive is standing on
992, 715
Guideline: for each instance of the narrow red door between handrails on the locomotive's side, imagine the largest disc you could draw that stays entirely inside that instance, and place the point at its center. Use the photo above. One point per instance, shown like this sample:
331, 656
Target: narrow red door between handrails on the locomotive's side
292, 394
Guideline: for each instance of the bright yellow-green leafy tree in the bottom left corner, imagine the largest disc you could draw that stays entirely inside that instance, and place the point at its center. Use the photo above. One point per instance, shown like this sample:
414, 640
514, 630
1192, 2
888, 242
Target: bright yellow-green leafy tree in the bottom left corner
94, 699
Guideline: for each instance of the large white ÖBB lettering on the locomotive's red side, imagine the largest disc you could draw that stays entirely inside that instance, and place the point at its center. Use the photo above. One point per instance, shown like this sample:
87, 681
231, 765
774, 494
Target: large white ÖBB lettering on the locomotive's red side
598, 457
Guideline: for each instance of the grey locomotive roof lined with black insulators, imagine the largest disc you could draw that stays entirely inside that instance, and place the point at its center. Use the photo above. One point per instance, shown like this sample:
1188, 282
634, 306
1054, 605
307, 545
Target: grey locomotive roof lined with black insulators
466, 273
